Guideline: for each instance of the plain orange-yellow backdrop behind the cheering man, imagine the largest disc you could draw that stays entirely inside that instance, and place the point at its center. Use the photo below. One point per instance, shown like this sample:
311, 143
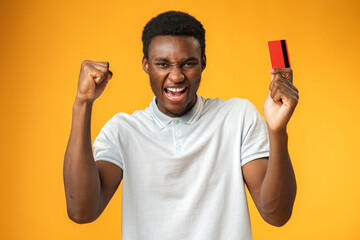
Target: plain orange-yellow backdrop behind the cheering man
43, 43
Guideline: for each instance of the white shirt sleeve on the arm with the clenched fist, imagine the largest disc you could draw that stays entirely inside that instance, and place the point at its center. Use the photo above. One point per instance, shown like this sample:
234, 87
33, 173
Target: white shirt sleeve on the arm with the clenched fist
106, 144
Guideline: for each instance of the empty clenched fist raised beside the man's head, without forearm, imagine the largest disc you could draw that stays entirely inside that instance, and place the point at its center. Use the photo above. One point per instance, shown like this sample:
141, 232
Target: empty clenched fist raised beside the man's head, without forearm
93, 79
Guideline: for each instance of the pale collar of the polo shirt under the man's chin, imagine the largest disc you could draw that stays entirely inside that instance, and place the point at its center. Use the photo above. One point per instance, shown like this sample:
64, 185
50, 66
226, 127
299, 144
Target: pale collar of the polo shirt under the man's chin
162, 120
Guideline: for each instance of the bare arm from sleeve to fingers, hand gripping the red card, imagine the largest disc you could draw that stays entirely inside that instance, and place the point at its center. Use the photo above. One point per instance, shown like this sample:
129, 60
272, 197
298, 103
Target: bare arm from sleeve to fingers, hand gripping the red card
271, 182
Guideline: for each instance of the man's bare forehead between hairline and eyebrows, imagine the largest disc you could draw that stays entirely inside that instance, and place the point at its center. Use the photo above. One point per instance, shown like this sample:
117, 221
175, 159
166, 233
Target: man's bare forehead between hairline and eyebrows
174, 47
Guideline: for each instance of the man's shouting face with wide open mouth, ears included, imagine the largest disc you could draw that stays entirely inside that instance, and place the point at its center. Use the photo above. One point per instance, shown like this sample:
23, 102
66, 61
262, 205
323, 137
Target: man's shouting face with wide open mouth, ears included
174, 66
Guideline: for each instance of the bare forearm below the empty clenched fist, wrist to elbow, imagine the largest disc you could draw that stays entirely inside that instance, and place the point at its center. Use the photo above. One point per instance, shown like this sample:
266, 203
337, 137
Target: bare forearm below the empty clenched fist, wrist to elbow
81, 176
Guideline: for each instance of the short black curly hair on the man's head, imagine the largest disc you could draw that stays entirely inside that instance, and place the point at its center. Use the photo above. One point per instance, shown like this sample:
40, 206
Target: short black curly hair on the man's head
173, 23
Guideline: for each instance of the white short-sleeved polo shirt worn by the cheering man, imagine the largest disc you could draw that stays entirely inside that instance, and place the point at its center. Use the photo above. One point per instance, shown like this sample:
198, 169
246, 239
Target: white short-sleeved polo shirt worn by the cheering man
182, 177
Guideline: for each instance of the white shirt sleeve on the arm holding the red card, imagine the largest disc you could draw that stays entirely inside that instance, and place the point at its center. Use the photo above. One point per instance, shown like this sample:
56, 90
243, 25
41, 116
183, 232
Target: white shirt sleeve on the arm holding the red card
255, 137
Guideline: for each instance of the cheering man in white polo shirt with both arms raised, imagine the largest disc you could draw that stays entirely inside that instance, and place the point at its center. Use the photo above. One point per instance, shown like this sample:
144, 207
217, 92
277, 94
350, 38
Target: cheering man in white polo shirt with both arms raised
185, 160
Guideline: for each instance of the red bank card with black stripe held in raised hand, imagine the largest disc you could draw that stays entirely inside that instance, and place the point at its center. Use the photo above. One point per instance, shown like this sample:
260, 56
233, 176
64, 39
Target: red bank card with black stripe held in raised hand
279, 54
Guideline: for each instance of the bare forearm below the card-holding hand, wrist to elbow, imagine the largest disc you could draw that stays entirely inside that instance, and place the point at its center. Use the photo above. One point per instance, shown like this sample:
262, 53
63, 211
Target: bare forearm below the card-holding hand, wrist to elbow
278, 189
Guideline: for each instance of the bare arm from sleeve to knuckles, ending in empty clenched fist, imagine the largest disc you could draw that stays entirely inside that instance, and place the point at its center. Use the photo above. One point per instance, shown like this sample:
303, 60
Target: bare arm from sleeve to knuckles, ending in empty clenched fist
89, 186
